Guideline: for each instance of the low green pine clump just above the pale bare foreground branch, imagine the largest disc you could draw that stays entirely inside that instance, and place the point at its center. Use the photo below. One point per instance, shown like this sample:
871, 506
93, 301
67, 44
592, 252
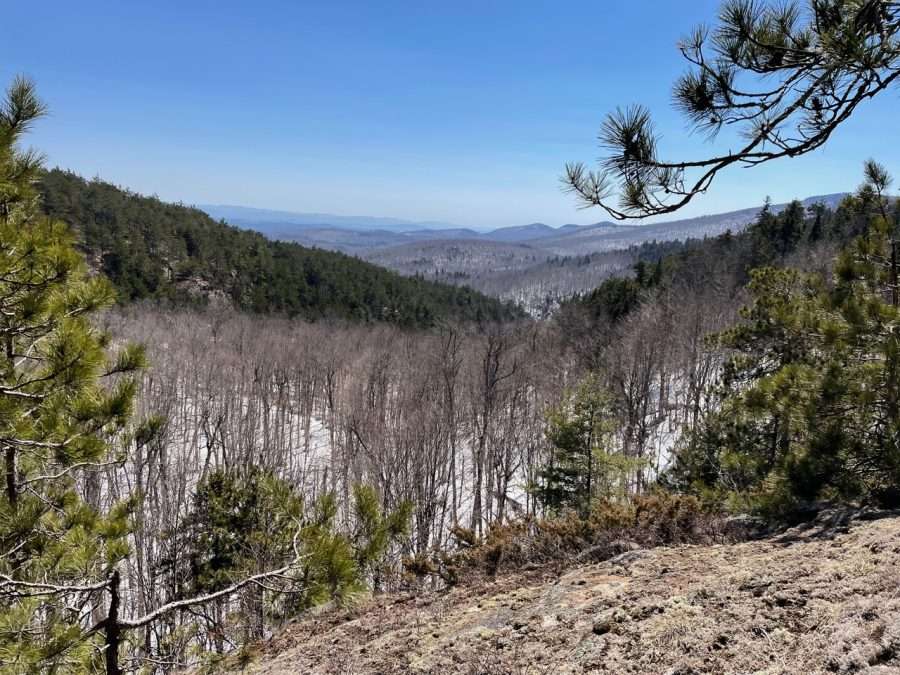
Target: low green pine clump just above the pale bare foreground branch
252, 521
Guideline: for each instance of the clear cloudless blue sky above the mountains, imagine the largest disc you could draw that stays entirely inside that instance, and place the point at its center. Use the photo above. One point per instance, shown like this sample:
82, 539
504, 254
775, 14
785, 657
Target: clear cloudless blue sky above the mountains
457, 111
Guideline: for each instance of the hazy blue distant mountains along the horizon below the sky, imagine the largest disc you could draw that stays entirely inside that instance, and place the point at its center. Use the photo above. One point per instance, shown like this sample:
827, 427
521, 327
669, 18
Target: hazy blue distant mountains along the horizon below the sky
362, 235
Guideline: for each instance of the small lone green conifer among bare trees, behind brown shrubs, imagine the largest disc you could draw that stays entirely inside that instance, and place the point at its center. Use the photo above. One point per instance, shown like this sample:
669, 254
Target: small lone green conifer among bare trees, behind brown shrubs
581, 466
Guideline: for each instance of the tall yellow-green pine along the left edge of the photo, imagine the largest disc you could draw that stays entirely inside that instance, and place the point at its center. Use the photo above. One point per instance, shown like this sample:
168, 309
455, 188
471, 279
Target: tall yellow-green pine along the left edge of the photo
57, 417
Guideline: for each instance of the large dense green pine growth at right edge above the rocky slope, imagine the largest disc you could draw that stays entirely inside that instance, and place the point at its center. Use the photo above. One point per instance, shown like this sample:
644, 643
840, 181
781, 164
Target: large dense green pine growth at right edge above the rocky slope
811, 401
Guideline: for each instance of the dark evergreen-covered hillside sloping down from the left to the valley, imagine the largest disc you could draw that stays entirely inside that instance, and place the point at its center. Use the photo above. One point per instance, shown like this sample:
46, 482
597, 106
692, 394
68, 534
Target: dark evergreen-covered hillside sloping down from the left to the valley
151, 249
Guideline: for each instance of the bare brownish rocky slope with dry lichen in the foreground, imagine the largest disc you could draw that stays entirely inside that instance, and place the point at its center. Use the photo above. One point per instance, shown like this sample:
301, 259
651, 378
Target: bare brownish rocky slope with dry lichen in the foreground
824, 598
